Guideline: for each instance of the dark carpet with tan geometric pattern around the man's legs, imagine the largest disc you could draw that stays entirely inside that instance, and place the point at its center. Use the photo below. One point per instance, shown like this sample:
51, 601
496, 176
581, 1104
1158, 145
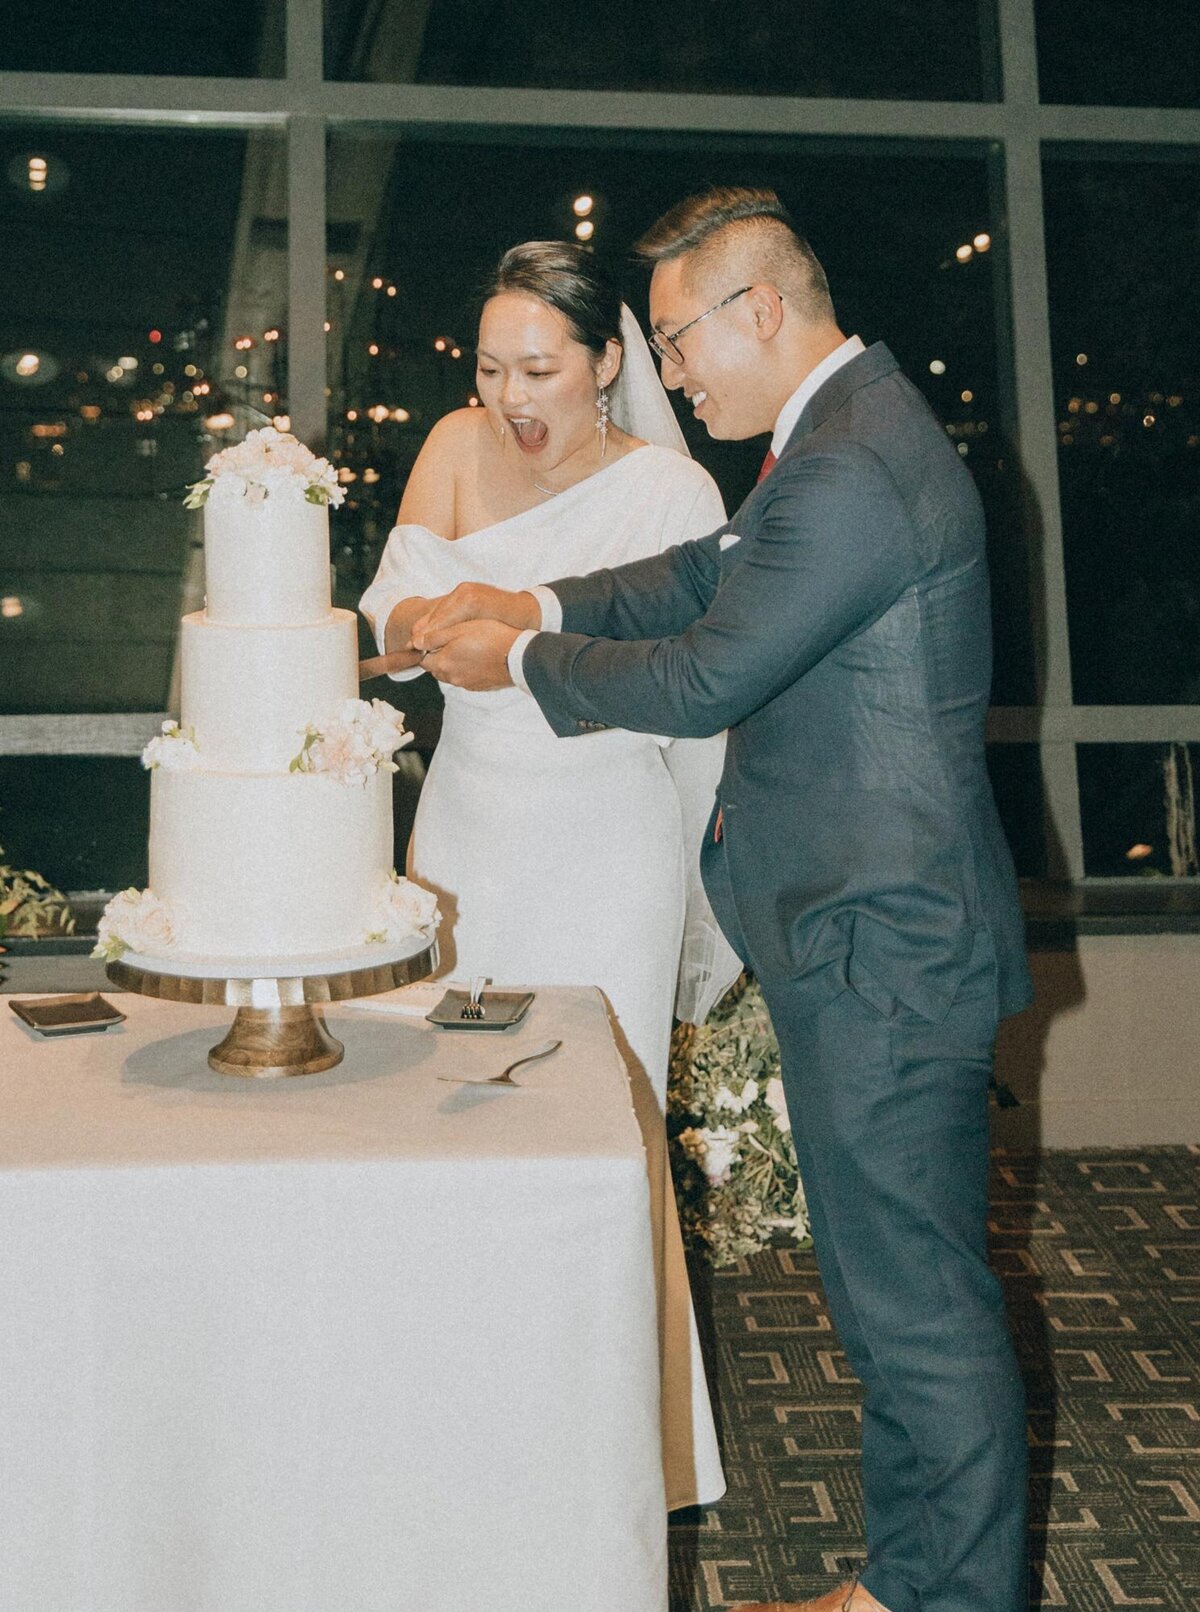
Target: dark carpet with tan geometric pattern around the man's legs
1101, 1261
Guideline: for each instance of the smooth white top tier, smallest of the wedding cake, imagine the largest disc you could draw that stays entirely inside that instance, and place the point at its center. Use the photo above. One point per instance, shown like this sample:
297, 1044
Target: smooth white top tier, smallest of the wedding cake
267, 563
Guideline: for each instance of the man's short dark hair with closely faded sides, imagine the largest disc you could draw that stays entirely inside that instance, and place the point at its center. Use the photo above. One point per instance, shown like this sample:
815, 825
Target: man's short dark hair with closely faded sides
741, 236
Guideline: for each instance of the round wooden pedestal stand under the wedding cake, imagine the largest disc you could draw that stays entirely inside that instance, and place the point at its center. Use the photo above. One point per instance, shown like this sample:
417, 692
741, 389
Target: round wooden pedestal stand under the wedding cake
277, 1031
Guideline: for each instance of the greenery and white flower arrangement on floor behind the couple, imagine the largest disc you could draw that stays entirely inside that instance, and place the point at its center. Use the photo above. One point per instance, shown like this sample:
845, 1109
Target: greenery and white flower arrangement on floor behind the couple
730, 1134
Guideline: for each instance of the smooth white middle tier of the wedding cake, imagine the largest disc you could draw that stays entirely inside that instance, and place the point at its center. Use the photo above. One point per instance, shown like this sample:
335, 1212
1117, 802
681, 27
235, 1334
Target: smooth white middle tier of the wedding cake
249, 692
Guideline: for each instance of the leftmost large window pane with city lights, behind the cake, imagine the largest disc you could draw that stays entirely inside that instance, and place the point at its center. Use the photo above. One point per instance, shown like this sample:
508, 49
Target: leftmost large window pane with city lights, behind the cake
130, 291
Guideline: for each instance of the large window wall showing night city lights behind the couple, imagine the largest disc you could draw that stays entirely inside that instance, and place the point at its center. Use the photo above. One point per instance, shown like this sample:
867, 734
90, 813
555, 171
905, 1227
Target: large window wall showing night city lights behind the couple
149, 286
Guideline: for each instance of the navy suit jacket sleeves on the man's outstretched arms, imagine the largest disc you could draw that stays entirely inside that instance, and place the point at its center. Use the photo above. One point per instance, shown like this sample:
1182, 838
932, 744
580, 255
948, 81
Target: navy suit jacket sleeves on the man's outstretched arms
830, 552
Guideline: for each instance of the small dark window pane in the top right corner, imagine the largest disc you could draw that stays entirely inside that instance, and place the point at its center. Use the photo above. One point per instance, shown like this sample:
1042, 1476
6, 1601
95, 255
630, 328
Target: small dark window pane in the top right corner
1115, 54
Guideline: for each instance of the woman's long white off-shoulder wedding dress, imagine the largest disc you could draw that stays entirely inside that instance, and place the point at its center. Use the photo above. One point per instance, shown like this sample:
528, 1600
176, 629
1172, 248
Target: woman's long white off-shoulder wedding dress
572, 862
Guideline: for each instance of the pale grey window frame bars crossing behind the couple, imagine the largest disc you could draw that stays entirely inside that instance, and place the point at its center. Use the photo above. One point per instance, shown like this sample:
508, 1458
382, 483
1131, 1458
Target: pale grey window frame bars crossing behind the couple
1017, 127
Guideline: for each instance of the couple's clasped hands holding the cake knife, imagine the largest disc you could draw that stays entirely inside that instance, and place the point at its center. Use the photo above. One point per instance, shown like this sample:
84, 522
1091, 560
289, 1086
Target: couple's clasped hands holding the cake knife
465, 636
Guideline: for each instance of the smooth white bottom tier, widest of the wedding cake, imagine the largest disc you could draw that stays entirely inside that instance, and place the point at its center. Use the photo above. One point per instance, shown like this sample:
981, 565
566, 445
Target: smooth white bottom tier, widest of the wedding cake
270, 865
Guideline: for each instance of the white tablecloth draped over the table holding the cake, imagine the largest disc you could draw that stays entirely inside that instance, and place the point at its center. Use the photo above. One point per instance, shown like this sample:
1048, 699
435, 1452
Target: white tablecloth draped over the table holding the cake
357, 1342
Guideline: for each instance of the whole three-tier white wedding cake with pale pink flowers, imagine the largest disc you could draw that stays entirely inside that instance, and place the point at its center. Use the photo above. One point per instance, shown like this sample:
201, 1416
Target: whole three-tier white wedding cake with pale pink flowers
272, 797
